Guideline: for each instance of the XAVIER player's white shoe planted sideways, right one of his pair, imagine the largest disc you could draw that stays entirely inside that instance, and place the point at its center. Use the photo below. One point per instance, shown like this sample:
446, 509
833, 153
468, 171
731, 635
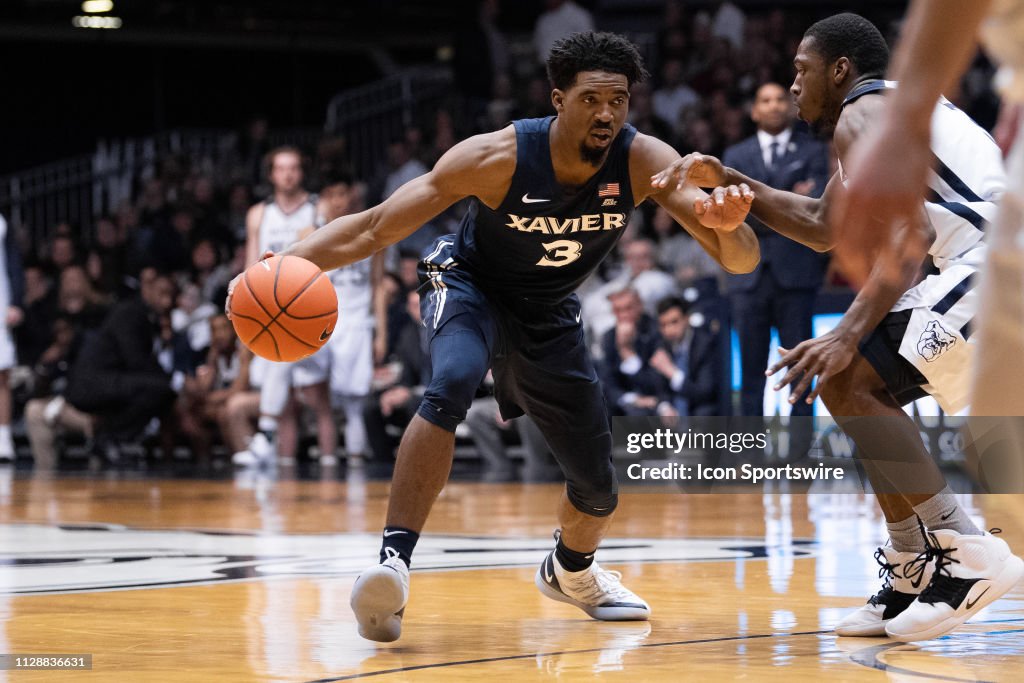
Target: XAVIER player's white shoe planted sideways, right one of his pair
596, 591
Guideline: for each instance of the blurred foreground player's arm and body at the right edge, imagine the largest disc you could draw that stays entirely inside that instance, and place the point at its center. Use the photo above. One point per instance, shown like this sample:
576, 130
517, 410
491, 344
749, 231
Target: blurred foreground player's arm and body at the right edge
937, 44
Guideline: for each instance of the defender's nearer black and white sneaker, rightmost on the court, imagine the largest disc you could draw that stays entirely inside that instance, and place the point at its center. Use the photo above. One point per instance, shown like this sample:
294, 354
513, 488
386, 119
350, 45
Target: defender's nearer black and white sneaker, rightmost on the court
971, 573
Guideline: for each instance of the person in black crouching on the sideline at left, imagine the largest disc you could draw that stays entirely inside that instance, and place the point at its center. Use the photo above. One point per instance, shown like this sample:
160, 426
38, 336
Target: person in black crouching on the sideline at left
123, 376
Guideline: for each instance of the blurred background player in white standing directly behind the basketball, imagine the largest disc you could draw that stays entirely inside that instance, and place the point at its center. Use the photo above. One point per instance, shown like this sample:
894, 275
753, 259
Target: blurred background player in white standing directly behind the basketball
272, 227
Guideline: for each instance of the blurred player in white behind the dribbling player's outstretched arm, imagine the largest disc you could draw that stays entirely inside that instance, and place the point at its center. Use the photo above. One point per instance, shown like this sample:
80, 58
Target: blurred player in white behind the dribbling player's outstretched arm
350, 353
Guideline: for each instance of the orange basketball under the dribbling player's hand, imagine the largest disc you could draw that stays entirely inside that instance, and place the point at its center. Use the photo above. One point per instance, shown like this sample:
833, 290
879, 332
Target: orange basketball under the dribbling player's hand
284, 309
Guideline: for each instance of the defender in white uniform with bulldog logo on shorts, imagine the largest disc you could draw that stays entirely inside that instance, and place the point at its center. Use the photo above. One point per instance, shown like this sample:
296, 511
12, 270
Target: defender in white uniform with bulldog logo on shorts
904, 336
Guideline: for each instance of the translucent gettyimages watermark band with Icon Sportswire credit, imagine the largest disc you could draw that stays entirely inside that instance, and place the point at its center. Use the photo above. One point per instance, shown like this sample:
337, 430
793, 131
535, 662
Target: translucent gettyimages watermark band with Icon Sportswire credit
734, 454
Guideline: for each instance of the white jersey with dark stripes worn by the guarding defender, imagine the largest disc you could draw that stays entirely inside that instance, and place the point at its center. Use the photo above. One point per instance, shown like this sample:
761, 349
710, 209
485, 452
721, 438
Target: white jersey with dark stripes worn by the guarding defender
968, 180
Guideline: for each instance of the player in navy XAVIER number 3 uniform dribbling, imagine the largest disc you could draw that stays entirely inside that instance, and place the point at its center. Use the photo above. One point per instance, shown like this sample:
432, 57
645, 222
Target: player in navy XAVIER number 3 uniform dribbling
550, 199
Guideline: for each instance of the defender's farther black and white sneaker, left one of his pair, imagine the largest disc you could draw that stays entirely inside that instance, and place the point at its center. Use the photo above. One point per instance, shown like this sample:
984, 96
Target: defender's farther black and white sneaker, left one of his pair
906, 576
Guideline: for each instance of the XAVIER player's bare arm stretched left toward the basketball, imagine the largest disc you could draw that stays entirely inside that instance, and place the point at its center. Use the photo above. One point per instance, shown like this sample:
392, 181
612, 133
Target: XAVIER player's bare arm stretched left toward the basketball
476, 166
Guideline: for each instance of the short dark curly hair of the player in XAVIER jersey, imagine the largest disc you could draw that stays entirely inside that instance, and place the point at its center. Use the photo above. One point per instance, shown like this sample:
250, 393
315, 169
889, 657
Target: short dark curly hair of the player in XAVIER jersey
594, 52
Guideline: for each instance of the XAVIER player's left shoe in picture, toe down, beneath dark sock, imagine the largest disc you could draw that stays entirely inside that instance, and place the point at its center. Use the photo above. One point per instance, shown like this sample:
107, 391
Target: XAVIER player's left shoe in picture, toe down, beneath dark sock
379, 599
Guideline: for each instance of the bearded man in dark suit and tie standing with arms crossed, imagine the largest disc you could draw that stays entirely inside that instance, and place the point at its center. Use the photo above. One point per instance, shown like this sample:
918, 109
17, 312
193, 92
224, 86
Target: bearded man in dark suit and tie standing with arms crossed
781, 291
